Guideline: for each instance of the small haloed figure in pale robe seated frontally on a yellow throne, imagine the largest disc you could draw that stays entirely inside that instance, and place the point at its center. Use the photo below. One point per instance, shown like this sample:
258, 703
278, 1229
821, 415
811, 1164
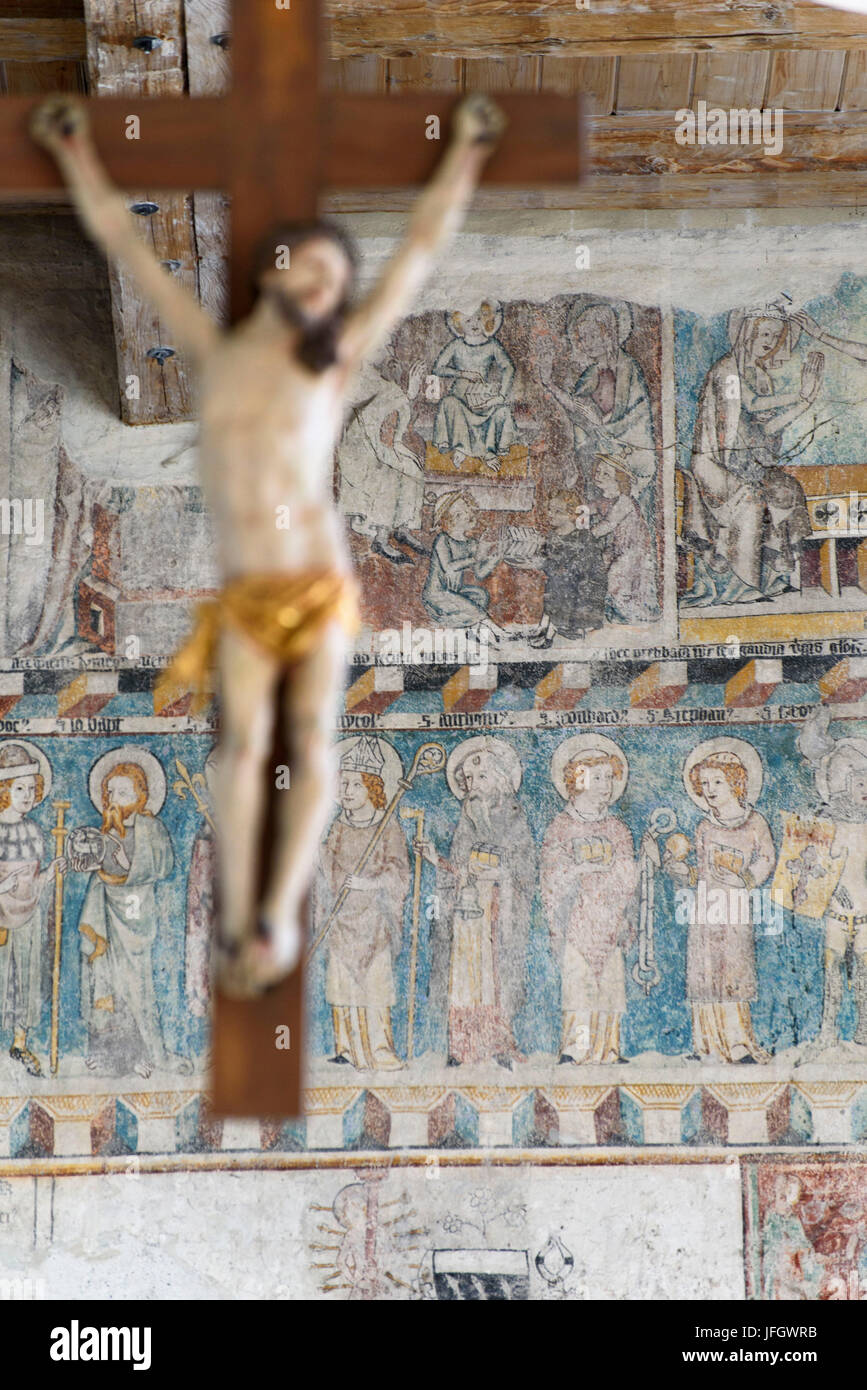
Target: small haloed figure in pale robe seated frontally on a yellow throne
474, 418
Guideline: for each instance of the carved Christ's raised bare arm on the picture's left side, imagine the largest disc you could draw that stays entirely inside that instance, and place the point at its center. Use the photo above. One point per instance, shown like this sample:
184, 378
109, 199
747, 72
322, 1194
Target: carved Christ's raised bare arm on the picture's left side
62, 127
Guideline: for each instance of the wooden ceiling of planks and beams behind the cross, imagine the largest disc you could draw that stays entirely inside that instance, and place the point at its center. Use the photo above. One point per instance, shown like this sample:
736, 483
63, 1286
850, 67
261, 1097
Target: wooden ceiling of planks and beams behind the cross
636, 66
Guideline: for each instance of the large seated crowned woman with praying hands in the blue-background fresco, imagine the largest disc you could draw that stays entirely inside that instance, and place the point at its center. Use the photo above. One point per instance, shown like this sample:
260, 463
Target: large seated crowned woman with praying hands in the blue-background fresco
745, 519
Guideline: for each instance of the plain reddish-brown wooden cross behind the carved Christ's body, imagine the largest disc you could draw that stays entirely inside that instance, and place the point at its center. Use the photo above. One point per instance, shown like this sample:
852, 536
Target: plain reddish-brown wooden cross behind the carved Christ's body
273, 144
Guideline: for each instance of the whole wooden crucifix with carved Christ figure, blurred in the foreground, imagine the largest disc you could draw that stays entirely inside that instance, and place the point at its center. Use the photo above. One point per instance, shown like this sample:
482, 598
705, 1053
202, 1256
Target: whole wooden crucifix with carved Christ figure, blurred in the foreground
273, 144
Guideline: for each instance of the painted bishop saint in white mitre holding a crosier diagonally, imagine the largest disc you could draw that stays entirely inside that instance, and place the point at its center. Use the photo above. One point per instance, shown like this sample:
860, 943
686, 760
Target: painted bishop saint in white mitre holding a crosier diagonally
366, 933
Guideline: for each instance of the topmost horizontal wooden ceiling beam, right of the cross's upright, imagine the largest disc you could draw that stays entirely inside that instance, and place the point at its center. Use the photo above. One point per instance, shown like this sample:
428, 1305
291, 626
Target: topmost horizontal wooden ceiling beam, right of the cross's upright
499, 28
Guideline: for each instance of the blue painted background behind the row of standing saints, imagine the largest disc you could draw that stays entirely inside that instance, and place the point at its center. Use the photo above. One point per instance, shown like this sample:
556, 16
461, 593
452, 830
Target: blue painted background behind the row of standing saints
790, 965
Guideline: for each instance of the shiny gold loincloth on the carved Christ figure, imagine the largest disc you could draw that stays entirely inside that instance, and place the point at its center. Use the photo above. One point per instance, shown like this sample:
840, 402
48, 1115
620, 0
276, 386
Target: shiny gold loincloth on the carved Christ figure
283, 614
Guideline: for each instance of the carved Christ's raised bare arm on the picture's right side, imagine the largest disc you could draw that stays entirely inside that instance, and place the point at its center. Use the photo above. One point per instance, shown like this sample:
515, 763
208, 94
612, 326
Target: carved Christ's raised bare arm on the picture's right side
438, 213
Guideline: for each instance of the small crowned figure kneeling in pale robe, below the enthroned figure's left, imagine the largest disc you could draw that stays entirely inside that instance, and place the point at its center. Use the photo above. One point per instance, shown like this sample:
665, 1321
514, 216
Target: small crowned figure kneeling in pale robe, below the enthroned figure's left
447, 596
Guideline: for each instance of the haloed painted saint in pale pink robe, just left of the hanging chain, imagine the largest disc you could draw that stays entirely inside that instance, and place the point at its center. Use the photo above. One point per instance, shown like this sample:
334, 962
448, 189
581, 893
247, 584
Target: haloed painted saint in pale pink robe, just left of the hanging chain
590, 879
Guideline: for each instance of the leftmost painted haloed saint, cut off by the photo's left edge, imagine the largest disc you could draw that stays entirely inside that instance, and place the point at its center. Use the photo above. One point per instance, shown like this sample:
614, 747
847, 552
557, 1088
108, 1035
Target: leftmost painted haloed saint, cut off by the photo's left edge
26, 780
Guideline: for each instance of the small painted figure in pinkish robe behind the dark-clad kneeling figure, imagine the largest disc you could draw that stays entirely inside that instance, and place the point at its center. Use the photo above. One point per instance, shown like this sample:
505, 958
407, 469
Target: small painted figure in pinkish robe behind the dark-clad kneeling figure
627, 547
